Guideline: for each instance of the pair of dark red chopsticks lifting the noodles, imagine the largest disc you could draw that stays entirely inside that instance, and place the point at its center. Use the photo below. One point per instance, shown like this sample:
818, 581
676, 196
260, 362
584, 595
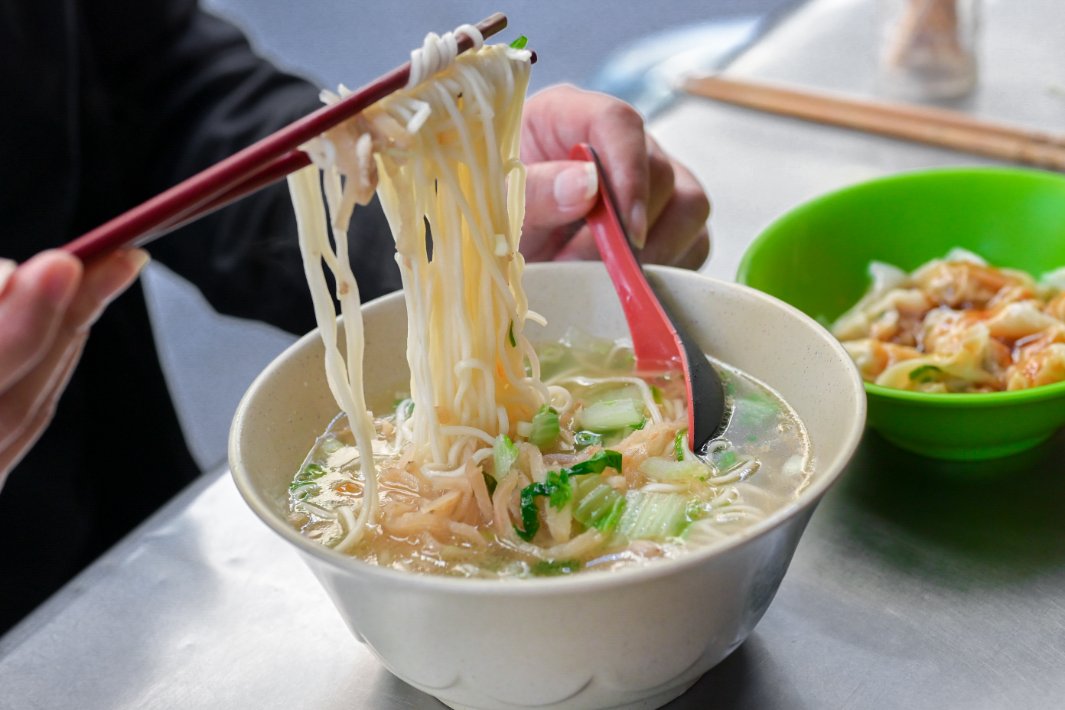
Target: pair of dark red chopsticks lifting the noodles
256, 167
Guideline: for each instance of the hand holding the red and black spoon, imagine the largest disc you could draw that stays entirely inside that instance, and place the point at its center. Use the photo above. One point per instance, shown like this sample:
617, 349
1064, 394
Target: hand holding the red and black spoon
664, 206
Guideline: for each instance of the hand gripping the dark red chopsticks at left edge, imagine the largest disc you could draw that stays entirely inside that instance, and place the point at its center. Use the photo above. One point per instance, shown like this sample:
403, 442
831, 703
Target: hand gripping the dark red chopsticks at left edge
46, 308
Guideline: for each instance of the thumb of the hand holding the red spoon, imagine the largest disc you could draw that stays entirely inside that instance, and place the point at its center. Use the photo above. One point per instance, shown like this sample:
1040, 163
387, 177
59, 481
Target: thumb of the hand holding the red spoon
559, 193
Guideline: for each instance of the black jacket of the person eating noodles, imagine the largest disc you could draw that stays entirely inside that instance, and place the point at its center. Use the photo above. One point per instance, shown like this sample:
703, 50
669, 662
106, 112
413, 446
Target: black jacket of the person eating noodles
106, 104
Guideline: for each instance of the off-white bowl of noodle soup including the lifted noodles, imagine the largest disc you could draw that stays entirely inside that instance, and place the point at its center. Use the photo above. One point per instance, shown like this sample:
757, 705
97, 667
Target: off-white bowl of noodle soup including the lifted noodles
505, 510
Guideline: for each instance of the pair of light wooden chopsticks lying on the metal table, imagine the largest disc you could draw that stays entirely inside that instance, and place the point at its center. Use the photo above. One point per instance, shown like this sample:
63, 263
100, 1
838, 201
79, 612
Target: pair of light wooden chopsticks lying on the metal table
938, 127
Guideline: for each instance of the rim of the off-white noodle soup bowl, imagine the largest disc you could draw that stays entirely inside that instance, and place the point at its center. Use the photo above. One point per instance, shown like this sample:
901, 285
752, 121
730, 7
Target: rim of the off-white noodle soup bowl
830, 473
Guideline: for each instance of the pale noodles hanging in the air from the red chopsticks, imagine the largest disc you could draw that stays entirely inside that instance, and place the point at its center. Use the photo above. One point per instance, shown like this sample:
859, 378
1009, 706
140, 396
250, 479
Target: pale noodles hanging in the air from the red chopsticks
444, 153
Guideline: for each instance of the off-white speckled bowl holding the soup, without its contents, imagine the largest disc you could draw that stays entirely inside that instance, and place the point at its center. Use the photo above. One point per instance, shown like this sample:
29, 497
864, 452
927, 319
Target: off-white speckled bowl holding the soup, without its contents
629, 639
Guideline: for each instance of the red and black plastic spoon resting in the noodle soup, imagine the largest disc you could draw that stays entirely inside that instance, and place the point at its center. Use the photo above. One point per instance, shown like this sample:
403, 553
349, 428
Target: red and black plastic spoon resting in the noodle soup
659, 339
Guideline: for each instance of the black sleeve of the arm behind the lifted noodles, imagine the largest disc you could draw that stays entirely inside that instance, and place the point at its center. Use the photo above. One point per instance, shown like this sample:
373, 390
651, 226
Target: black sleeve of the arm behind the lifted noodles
190, 91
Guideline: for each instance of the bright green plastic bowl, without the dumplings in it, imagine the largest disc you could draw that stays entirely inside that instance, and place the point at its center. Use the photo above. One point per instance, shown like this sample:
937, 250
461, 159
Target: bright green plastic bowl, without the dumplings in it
816, 258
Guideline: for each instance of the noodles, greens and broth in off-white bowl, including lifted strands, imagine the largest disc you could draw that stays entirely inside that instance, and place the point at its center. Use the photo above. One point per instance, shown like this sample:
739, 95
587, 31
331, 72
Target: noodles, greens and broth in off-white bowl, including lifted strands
502, 463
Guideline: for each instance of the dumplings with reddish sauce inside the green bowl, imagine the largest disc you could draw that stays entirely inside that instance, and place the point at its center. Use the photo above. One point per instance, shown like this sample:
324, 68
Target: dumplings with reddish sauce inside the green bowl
958, 325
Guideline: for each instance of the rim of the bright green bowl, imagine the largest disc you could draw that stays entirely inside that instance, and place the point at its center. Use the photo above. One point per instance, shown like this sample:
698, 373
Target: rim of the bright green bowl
943, 400
